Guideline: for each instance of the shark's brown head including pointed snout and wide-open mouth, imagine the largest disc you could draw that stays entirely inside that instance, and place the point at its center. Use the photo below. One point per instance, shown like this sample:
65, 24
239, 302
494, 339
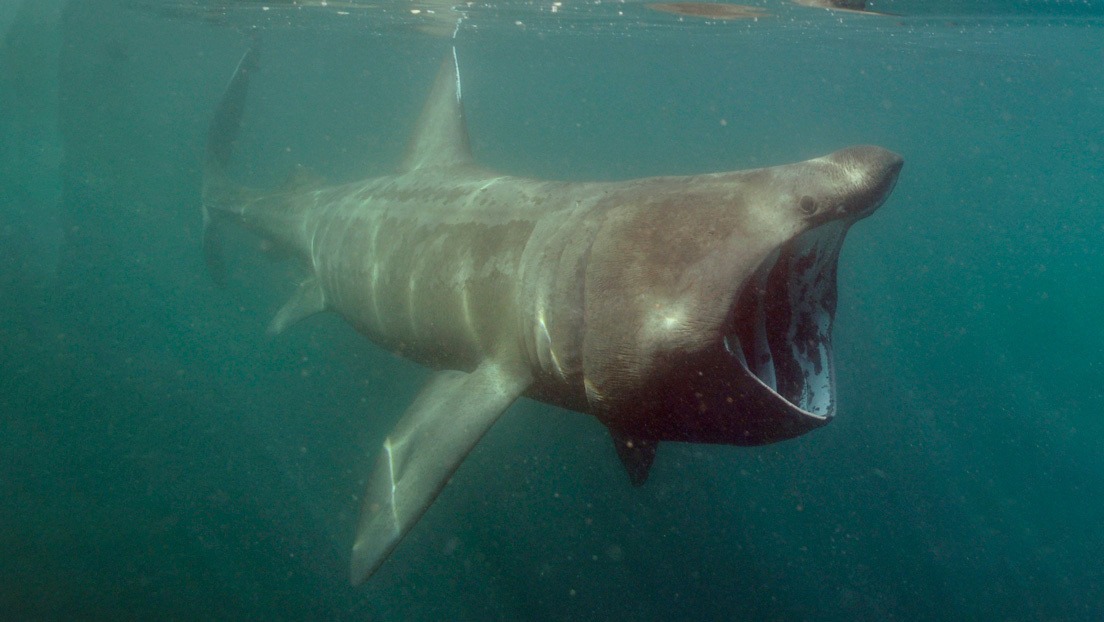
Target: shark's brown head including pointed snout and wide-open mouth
718, 326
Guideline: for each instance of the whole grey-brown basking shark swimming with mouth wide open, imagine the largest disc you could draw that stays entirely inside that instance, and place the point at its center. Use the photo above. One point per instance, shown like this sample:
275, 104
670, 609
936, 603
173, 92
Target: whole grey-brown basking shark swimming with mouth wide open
692, 309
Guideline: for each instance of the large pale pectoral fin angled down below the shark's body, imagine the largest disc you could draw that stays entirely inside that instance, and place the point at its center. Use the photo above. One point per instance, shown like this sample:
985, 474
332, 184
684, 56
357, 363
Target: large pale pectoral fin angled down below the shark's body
433, 437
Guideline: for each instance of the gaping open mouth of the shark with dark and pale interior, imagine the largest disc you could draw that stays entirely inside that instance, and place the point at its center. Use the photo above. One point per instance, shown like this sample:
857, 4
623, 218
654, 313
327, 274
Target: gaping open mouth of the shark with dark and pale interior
782, 323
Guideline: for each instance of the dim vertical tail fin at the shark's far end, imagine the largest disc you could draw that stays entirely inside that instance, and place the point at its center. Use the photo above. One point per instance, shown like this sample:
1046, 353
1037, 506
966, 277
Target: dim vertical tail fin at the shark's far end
220, 195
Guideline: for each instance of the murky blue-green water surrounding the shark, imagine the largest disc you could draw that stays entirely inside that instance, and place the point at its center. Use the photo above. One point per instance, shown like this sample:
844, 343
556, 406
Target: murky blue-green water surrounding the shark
162, 458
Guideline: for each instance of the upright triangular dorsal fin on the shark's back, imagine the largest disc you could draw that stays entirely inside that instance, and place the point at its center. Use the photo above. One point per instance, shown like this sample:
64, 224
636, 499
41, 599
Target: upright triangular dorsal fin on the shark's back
441, 136
